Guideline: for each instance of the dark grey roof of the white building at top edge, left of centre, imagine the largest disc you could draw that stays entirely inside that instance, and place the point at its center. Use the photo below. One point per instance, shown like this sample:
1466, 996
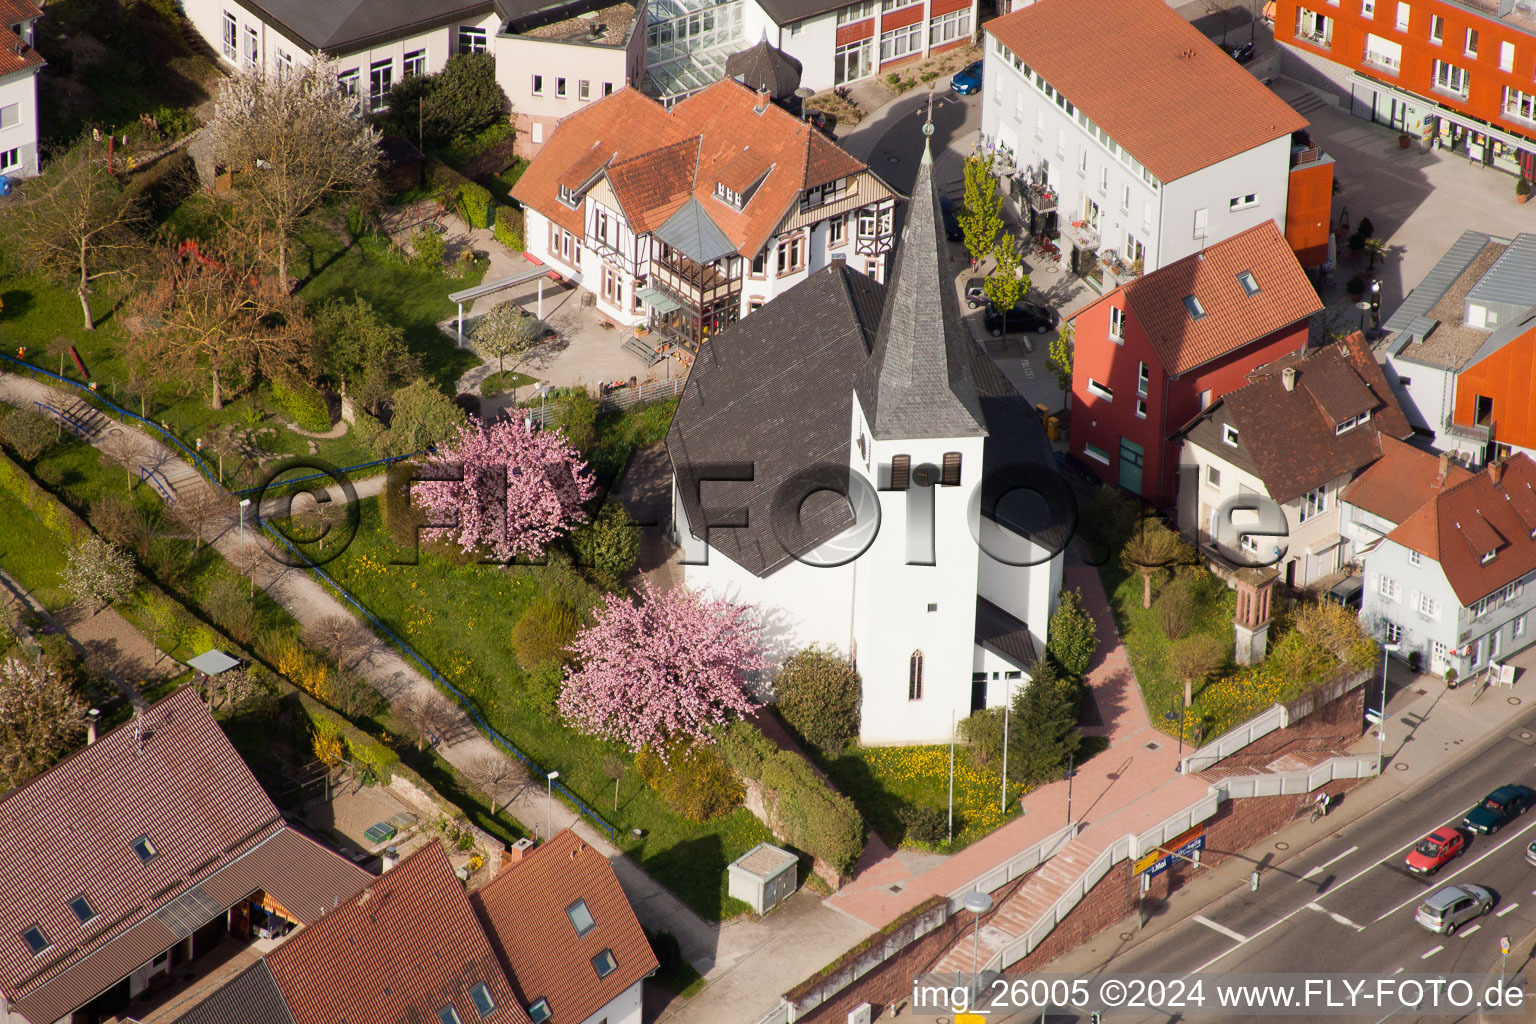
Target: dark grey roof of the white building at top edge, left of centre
340, 27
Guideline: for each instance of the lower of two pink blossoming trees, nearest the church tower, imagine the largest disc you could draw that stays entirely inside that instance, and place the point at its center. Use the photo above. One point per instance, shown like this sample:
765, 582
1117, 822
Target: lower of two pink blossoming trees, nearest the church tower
669, 667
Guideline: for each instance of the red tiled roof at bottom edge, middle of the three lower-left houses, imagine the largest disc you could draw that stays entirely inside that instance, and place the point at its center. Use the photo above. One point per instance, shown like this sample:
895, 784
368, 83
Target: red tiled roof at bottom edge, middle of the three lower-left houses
399, 953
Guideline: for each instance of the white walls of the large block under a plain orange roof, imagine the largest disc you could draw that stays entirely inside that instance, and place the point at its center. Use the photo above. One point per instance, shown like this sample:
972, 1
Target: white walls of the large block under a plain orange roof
1101, 183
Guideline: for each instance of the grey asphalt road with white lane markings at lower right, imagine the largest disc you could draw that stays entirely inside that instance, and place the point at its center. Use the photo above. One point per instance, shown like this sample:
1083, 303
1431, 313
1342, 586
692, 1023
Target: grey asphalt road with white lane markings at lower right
1348, 903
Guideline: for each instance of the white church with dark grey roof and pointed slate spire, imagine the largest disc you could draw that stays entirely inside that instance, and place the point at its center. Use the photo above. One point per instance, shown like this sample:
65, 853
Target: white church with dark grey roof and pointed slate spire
850, 463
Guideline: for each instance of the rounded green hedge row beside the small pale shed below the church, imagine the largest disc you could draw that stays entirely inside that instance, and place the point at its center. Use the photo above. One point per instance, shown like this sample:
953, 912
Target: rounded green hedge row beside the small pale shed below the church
803, 808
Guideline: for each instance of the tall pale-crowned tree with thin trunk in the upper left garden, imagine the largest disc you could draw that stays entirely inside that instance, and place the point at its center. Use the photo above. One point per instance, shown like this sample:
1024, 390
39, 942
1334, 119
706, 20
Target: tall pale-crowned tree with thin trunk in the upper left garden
300, 139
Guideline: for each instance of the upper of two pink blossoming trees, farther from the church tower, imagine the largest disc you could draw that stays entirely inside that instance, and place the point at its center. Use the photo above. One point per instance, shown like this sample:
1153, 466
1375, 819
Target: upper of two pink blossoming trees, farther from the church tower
520, 489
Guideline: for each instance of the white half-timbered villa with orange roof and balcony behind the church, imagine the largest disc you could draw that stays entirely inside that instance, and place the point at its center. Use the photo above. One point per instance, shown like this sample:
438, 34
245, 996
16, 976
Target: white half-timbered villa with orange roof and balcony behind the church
683, 222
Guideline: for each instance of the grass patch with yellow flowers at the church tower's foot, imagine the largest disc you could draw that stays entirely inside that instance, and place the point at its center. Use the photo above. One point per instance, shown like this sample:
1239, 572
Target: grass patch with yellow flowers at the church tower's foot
881, 781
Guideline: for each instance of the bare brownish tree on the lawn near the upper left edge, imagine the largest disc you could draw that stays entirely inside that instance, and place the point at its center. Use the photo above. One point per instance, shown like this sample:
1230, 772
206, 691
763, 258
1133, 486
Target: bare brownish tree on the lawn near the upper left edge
76, 223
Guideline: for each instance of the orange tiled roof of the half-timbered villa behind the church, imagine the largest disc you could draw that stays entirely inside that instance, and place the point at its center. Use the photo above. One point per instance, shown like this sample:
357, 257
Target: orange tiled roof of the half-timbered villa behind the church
721, 127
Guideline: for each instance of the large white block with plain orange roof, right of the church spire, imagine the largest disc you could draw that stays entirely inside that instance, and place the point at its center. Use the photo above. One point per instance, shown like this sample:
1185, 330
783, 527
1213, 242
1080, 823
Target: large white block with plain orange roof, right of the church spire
1154, 142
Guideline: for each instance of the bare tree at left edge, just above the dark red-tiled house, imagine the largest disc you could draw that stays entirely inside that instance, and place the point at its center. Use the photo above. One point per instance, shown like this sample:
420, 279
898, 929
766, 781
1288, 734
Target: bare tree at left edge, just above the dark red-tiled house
41, 719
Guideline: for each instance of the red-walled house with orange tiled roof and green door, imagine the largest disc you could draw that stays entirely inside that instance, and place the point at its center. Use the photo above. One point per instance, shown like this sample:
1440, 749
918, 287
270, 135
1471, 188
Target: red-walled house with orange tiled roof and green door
1153, 354
